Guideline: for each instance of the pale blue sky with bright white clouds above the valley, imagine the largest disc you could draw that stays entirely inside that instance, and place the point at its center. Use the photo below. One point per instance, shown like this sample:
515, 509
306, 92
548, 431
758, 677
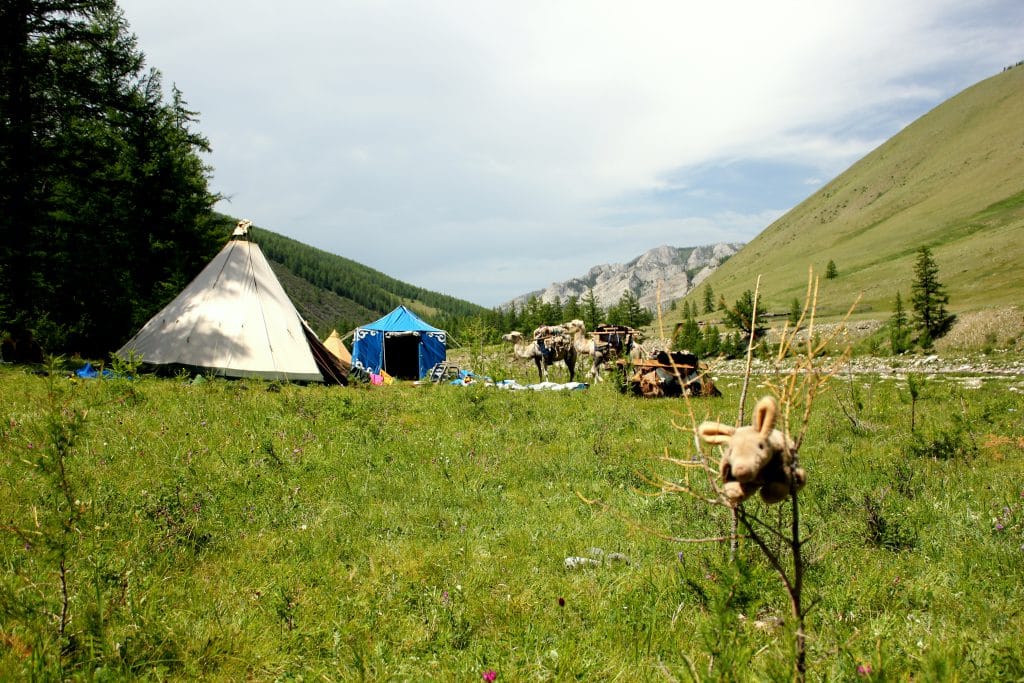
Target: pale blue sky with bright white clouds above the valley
486, 150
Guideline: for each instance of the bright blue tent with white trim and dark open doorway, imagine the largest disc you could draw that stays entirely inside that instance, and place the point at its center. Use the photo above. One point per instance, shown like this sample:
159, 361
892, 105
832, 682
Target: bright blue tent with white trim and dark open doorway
401, 344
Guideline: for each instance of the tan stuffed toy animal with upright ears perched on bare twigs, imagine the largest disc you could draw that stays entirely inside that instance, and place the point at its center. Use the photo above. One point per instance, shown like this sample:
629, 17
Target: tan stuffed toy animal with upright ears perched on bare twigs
757, 458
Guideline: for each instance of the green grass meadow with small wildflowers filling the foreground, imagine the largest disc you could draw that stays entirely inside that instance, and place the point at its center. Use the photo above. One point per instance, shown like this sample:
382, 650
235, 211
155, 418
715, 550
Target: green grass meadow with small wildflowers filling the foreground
250, 531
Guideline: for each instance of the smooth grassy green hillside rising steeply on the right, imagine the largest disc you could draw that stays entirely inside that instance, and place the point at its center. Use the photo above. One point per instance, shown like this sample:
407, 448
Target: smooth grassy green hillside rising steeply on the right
953, 181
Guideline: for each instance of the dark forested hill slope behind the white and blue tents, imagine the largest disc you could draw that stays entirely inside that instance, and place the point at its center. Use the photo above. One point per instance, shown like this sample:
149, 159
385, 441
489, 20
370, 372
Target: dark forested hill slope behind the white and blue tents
333, 292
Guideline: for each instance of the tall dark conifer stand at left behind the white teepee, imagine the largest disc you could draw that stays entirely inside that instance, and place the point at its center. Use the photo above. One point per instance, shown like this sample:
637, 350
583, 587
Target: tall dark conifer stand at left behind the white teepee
105, 207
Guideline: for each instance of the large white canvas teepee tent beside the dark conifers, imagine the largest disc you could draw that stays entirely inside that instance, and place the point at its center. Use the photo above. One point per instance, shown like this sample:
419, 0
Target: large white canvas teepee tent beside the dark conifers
235, 320
